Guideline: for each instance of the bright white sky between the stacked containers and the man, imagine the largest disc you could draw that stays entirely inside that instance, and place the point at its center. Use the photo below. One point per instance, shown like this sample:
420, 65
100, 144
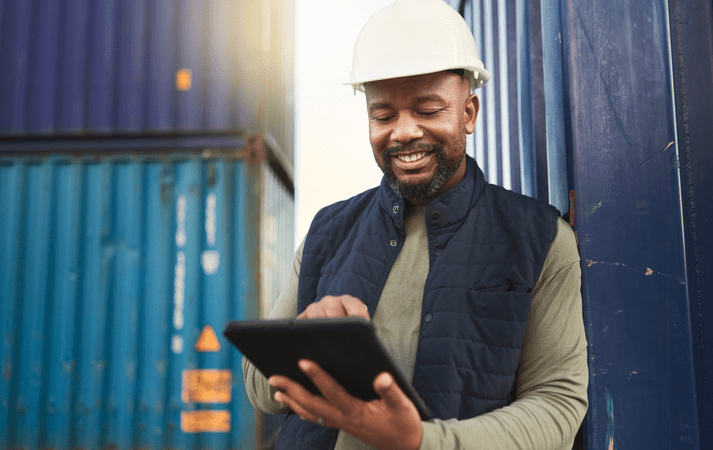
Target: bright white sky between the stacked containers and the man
333, 157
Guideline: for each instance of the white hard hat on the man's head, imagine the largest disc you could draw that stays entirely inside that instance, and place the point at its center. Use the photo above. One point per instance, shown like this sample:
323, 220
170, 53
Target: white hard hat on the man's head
415, 37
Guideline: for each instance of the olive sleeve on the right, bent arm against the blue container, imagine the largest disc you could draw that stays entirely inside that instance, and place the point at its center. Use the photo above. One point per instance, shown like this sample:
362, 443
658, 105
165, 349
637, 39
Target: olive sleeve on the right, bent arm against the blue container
551, 385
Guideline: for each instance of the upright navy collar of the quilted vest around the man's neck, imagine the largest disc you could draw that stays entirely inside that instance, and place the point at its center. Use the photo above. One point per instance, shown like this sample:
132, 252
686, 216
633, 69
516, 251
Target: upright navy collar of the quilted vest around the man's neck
447, 209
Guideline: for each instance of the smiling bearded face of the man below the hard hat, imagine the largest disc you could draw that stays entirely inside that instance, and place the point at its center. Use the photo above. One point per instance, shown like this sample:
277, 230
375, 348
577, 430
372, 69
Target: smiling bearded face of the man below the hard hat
417, 129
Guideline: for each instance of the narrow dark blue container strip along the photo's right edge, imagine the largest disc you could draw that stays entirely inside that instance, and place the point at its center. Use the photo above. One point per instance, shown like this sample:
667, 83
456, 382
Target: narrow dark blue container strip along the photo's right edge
692, 66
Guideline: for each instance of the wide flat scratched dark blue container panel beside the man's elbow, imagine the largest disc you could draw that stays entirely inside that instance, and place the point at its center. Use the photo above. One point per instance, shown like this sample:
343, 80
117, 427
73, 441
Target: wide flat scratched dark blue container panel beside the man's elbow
625, 160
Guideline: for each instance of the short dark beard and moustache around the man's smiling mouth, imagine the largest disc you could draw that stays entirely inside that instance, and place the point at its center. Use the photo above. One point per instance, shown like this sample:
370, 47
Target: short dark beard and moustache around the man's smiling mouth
427, 189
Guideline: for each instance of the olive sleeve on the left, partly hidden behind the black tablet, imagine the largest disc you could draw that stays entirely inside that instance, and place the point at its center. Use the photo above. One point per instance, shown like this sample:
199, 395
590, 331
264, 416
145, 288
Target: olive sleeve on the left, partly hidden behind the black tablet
260, 394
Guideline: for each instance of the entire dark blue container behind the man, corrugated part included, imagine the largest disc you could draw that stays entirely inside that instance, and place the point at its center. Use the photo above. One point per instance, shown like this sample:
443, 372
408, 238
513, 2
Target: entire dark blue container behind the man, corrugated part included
610, 99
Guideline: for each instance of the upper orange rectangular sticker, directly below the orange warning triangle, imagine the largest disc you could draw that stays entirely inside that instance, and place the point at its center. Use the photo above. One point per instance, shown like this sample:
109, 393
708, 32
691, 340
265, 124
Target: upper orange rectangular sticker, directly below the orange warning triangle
206, 386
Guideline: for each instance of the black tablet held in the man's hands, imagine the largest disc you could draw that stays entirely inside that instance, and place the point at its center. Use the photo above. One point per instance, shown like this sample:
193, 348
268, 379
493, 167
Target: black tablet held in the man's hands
347, 348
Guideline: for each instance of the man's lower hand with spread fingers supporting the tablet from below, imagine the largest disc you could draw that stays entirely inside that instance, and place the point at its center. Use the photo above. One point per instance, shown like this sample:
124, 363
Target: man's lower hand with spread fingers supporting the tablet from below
389, 422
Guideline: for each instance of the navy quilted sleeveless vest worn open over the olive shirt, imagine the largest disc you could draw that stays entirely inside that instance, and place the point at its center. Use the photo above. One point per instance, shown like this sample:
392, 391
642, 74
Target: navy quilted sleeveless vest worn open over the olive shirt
486, 246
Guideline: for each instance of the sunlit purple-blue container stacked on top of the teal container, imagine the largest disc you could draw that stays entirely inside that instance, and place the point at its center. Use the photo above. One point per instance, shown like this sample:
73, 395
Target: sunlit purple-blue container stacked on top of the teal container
76, 67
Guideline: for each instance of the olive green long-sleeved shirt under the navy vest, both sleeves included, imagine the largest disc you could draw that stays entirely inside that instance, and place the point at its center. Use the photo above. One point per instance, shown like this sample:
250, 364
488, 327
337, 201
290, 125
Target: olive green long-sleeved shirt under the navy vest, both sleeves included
551, 382
